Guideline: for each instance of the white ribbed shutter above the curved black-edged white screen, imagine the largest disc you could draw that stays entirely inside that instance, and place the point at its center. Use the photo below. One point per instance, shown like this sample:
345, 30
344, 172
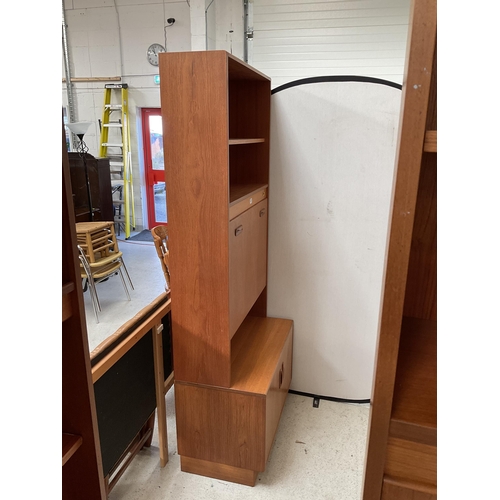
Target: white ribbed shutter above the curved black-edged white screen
296, 39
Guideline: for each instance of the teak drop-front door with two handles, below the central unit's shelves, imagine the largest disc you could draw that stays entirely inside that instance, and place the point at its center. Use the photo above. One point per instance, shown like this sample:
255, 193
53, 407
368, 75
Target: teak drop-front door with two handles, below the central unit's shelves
247, 262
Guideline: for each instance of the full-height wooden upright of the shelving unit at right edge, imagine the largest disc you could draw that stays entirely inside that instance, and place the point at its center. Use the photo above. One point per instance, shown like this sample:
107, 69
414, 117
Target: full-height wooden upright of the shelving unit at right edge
415, 98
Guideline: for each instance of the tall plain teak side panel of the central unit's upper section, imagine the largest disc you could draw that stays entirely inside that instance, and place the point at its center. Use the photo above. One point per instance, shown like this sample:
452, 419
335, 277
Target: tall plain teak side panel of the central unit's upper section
194, 99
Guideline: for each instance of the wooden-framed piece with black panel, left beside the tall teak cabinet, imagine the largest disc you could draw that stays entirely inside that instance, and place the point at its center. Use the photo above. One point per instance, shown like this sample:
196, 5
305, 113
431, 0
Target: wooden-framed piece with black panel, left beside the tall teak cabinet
132, 370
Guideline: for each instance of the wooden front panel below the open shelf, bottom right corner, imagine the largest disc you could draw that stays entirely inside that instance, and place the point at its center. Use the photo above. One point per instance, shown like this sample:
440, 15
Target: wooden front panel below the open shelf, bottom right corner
411, 461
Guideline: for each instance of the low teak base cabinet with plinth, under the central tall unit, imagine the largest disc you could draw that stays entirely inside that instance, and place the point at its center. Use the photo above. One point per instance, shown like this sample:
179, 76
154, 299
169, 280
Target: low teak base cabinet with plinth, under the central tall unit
227, 433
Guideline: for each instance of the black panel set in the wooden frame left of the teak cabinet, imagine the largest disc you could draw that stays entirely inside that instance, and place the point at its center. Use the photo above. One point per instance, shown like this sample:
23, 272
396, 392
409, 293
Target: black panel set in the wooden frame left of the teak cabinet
125, 398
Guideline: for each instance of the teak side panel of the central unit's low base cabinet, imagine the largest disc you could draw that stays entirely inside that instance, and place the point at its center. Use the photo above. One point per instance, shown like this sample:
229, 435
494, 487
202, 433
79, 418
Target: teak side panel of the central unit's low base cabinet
222, 426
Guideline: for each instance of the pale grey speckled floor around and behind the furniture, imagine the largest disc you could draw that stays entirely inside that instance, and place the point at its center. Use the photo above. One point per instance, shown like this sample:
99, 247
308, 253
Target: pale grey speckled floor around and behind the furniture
318, 452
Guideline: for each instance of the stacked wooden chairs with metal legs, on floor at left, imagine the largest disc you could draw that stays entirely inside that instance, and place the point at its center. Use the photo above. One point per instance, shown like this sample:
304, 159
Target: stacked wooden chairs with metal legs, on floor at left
100, 257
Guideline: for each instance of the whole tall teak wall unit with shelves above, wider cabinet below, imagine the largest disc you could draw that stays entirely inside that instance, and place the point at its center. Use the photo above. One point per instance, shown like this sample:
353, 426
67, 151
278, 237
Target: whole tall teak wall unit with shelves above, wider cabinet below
232, 363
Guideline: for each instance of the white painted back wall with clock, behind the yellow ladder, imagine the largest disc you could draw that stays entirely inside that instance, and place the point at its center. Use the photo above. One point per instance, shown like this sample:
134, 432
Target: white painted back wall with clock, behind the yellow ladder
109, 38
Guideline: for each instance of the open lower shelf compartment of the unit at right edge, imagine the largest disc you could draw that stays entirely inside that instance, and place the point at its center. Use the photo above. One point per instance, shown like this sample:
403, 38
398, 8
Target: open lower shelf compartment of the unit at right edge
414, 407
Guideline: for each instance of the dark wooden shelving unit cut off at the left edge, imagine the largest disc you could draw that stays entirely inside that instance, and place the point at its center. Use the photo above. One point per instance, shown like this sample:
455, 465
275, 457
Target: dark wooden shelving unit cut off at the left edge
82, 476
